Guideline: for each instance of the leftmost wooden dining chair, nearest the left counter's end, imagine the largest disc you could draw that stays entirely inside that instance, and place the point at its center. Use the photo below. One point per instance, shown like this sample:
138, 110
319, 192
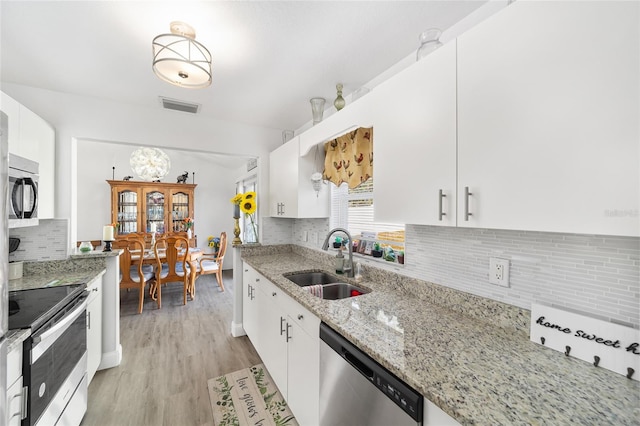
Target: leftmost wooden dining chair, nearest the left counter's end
133, 273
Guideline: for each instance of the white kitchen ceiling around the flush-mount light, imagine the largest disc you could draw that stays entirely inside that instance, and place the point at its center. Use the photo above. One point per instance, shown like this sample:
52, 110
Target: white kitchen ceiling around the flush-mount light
269, 57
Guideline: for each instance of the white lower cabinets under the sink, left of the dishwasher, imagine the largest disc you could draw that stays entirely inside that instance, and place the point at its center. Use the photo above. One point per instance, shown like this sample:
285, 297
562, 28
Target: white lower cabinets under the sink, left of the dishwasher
286, 336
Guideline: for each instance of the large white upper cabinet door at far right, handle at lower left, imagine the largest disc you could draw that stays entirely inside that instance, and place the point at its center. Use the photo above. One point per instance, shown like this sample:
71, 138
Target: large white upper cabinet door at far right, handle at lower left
548, 118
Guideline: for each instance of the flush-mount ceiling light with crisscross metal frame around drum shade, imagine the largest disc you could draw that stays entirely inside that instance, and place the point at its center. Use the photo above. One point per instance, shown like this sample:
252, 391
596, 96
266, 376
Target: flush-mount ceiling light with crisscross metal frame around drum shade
180, 60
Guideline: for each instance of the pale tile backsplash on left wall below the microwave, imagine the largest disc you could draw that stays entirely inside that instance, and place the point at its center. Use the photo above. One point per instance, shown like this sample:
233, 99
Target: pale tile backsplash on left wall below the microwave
47, 241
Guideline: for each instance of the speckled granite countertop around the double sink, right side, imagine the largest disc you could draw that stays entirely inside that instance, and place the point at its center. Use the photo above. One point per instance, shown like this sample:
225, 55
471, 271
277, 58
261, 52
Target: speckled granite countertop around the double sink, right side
475, 370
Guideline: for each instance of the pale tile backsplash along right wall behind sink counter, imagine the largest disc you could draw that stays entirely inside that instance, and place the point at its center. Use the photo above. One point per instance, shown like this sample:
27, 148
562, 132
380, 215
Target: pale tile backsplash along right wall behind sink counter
593, 274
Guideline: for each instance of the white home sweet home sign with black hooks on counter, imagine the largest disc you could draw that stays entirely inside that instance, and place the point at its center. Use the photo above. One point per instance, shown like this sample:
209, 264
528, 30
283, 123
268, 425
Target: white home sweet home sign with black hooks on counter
607, 345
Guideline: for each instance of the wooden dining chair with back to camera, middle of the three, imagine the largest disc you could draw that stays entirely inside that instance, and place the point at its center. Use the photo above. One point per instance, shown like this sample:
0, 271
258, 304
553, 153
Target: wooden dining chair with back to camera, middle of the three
171, 254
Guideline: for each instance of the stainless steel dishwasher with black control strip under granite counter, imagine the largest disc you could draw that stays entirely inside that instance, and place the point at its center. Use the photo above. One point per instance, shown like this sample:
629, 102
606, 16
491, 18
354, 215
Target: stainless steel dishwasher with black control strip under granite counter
356, 390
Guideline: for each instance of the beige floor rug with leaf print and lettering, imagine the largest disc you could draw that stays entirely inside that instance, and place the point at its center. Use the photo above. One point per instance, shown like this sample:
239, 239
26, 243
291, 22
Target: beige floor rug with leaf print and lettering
248, 397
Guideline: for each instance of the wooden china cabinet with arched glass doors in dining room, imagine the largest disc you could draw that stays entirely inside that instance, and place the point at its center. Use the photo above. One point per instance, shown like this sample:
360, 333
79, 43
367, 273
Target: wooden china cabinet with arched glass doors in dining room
139, 206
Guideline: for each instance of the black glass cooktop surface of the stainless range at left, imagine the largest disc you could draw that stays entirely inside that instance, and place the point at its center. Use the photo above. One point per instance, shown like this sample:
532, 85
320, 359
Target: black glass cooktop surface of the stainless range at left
32, 308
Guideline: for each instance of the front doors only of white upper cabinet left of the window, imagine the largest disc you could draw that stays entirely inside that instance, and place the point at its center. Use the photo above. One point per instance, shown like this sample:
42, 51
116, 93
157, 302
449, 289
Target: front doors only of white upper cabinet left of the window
283, 180
